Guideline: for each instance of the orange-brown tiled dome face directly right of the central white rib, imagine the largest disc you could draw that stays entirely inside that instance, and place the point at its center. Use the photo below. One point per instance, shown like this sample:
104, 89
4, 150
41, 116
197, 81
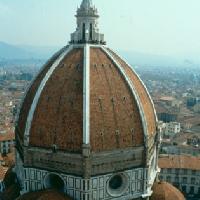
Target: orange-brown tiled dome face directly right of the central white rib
115, 119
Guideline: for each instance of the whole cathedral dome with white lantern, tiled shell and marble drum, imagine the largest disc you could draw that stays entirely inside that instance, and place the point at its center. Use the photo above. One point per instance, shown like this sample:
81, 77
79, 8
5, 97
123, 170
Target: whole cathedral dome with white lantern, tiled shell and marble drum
87, 126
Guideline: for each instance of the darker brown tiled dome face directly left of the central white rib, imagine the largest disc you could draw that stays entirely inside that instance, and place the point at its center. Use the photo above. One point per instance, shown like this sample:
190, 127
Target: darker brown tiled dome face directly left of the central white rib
58, 116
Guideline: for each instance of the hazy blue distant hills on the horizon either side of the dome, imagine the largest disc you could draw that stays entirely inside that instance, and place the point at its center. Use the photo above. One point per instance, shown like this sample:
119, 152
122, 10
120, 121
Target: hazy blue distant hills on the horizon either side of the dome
12, 52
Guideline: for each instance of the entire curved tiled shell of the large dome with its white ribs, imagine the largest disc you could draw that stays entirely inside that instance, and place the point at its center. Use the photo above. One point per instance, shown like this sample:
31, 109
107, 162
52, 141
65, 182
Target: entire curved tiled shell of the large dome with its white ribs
121, 112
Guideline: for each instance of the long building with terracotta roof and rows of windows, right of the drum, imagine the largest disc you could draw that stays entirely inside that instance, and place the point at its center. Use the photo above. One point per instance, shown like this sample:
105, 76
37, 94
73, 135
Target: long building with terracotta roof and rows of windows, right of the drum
183, 171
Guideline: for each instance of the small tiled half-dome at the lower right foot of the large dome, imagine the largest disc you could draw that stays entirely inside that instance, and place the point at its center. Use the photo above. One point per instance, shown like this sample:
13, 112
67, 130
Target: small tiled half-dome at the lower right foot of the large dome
165, 191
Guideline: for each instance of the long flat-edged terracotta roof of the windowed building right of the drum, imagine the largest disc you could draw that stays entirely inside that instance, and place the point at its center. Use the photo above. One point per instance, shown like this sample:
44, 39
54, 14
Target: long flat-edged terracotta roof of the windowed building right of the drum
179, 162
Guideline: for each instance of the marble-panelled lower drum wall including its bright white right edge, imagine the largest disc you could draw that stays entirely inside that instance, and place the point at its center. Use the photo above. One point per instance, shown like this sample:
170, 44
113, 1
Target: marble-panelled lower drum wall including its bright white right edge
137, 182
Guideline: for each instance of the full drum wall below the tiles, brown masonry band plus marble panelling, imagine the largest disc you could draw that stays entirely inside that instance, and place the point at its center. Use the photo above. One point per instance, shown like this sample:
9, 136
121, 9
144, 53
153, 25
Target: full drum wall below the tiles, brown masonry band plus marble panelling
33, 175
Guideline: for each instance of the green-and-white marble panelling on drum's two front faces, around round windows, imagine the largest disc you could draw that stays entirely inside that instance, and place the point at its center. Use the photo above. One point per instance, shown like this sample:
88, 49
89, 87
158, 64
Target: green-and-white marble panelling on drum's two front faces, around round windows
93, 188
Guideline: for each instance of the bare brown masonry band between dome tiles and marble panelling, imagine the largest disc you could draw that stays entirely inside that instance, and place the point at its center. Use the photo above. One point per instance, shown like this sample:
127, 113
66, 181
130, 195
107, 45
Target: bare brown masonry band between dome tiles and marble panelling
101, 163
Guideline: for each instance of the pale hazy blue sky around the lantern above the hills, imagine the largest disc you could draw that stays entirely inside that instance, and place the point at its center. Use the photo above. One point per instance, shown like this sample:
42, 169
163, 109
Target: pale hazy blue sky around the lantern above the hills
169, 27
